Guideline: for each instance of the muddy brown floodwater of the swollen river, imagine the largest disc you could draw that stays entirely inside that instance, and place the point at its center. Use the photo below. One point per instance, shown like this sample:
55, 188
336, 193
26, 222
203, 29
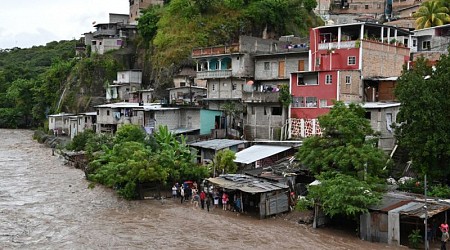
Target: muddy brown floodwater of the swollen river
46, 204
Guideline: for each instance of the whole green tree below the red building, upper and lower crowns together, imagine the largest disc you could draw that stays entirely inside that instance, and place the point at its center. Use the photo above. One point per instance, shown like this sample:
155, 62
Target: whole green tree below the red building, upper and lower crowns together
345, 160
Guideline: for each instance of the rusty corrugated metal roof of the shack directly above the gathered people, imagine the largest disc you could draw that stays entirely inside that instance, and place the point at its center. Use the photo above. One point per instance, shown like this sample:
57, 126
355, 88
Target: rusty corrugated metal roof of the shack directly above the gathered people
246, 183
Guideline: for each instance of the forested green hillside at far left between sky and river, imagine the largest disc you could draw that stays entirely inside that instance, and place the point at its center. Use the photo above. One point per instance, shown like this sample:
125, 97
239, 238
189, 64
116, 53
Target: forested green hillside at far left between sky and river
23, 99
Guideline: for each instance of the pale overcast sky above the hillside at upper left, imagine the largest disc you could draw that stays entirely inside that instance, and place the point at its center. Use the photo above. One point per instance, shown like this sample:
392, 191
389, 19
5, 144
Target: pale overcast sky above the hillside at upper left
25, 23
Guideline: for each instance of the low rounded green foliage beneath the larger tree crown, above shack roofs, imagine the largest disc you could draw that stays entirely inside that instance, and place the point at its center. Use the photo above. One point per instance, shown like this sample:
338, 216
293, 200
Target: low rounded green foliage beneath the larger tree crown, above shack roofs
344, 194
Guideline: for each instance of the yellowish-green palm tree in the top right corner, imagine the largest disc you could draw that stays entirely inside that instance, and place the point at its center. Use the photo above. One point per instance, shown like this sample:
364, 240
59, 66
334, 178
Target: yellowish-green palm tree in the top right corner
430, 14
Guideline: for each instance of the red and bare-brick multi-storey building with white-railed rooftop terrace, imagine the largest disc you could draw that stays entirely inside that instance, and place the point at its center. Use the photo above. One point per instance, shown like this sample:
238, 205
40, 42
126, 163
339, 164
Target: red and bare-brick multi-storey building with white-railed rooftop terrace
349, 62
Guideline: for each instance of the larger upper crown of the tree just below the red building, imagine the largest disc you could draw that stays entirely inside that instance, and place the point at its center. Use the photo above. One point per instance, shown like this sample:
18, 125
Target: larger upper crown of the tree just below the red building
345, 145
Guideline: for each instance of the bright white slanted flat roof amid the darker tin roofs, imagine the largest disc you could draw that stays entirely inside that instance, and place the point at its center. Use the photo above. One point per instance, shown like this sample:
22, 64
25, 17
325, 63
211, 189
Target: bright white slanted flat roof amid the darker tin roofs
258, 152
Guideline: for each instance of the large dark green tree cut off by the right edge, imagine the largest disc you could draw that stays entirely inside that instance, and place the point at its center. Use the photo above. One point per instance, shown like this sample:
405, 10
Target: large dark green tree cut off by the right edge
423, 123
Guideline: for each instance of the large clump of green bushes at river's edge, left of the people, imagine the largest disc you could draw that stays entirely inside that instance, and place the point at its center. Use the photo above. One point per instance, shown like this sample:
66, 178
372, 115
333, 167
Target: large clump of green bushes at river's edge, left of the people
133, 160
